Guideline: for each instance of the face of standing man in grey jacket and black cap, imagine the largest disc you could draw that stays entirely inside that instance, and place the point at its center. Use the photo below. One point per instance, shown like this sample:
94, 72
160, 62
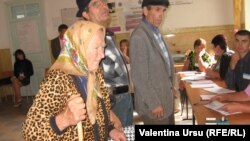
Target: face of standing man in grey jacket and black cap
154, 14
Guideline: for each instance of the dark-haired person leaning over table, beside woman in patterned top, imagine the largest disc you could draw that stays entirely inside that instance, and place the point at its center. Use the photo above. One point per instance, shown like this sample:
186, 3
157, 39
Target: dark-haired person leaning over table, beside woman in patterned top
222, 58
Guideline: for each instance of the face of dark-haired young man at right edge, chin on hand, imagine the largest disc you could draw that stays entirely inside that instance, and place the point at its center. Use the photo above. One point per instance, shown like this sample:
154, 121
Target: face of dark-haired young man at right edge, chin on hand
242, 44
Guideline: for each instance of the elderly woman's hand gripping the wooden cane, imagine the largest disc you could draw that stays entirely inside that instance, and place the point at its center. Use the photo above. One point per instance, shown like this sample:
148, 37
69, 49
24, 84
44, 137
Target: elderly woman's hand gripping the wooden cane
74, 112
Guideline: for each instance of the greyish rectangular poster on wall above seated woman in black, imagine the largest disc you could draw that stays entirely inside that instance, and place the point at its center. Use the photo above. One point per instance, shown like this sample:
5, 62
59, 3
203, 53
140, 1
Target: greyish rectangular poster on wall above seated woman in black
28, 40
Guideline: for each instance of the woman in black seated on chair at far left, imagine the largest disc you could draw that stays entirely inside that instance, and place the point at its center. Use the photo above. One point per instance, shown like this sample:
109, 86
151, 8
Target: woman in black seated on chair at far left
23, 69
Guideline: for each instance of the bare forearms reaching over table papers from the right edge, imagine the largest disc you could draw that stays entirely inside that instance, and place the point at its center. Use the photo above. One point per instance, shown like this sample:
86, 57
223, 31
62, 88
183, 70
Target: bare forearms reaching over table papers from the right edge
234, 98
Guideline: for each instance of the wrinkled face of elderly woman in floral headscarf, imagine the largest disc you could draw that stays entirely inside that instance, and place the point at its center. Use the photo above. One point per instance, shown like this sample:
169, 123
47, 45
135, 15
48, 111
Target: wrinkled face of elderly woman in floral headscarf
95, 51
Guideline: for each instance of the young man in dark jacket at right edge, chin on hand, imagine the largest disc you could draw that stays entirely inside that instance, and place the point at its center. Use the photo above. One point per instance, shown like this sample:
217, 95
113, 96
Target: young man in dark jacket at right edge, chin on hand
237, 77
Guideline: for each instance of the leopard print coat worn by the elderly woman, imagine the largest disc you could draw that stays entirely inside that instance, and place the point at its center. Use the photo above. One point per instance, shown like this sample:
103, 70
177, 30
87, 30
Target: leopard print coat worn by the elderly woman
55, 90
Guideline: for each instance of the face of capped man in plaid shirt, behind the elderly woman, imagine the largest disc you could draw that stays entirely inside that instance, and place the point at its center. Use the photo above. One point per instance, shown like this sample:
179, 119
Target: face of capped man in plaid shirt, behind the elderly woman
98, 12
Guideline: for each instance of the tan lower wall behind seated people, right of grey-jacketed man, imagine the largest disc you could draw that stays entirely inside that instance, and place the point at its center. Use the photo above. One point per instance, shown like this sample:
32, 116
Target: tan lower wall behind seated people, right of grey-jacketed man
185, 37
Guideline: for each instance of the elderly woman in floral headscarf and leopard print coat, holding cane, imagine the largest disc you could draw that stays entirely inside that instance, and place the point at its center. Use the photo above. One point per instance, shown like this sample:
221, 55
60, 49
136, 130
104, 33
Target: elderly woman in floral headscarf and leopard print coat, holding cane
72, 102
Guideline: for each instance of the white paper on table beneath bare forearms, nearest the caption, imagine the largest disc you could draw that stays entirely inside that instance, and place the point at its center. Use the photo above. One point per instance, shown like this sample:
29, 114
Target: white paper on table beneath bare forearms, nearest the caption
216, 105
